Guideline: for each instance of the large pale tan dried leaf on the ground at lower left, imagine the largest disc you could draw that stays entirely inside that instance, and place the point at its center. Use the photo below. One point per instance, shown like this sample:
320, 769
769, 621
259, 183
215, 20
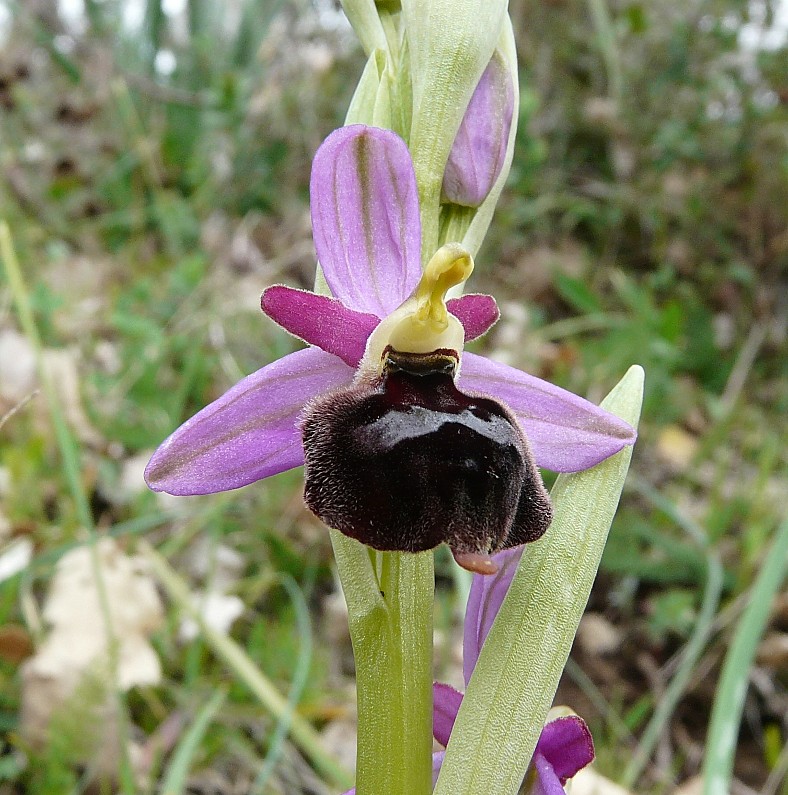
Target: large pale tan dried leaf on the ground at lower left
69, 684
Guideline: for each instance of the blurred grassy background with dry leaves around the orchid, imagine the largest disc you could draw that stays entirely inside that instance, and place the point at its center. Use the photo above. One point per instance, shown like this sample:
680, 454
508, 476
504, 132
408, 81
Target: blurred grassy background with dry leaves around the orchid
154, 164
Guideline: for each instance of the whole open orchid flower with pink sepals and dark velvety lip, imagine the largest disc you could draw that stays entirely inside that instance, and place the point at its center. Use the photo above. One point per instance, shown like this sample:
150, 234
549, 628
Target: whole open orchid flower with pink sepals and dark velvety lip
408, 441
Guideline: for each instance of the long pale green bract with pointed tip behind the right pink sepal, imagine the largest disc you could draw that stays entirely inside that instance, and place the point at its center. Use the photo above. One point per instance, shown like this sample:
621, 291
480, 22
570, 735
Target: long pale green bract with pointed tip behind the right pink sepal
515, 678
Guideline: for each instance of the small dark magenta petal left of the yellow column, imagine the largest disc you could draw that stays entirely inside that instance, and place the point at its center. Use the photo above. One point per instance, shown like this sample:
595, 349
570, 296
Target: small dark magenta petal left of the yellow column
320, 320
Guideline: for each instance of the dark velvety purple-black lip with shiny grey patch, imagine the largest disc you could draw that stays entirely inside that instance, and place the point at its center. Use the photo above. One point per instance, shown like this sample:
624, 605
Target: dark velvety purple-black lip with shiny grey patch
409, 462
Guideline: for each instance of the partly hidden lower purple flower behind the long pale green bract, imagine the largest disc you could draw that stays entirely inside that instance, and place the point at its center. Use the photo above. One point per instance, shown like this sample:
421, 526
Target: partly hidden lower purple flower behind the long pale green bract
565, 745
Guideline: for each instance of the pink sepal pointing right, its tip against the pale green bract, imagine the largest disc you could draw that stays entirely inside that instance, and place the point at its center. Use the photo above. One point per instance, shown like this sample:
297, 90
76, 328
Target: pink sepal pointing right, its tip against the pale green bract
567, 433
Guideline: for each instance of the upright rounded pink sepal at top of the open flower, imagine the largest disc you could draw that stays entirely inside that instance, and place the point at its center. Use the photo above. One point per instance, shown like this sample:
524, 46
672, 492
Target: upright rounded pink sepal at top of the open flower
365, 218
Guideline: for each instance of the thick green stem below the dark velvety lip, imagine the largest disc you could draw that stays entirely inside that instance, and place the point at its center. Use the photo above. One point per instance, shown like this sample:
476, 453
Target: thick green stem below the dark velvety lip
389, 597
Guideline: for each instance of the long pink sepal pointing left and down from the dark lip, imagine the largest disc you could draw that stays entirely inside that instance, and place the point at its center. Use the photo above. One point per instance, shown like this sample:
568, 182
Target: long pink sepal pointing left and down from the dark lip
250, 432
